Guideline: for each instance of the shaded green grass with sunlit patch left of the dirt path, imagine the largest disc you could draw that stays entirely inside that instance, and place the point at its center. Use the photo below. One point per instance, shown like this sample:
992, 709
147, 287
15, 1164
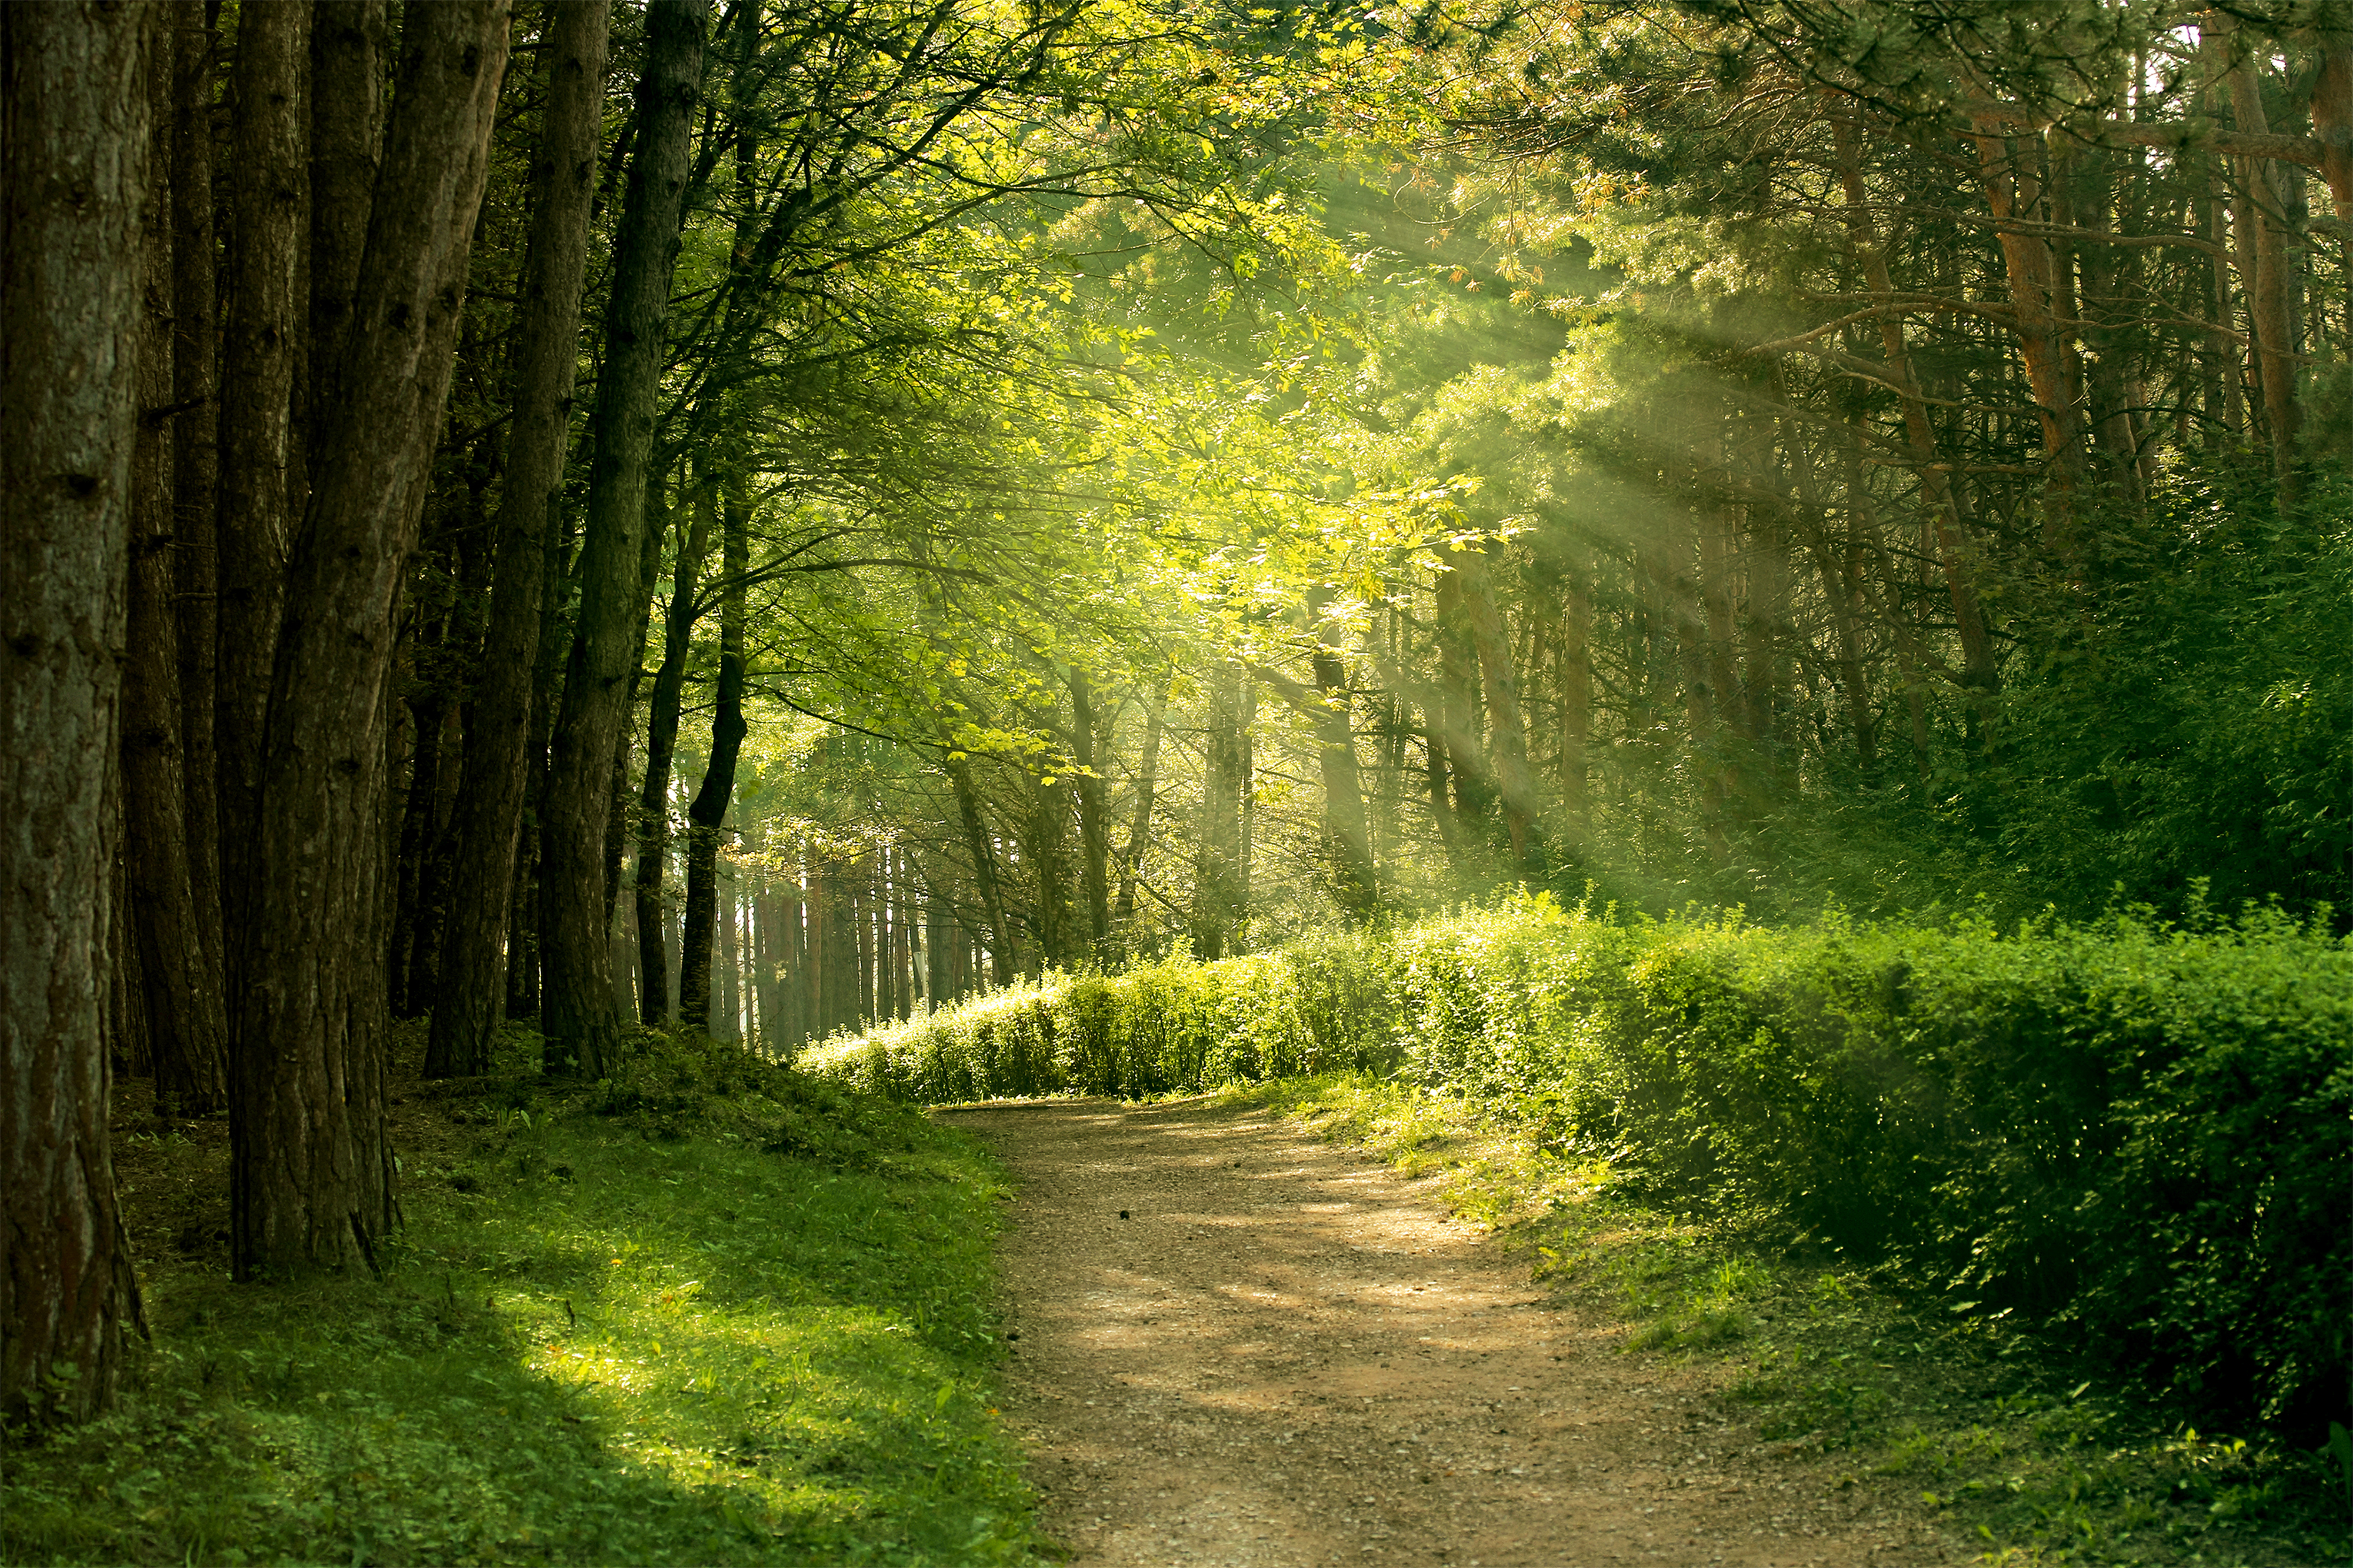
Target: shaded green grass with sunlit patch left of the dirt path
709, 1315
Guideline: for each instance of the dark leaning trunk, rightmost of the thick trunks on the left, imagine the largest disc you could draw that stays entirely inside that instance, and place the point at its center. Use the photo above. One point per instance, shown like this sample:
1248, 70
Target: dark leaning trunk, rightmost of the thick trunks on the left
578, 1014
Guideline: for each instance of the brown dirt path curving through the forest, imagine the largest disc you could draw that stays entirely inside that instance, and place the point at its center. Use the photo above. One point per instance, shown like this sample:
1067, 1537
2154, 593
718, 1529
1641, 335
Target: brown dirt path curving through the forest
1291, 1357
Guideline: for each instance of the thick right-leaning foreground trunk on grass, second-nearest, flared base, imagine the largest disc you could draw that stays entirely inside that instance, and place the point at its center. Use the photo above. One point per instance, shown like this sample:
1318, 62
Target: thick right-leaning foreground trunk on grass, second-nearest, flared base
309, 1157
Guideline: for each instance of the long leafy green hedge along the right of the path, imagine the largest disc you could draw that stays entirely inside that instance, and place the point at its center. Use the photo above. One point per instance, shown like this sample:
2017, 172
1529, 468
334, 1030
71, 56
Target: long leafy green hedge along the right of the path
2131, 1134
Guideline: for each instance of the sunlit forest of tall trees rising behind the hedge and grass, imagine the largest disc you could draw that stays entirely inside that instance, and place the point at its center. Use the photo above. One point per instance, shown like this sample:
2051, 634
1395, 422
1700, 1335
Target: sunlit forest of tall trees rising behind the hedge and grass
778, 519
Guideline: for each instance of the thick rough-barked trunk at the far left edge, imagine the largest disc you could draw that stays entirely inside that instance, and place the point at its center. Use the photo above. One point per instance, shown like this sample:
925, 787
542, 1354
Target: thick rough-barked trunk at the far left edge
74, 150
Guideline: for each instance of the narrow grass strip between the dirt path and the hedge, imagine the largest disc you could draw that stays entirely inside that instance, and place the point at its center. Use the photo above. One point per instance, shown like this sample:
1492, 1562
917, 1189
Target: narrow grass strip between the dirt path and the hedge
1997, 1430
